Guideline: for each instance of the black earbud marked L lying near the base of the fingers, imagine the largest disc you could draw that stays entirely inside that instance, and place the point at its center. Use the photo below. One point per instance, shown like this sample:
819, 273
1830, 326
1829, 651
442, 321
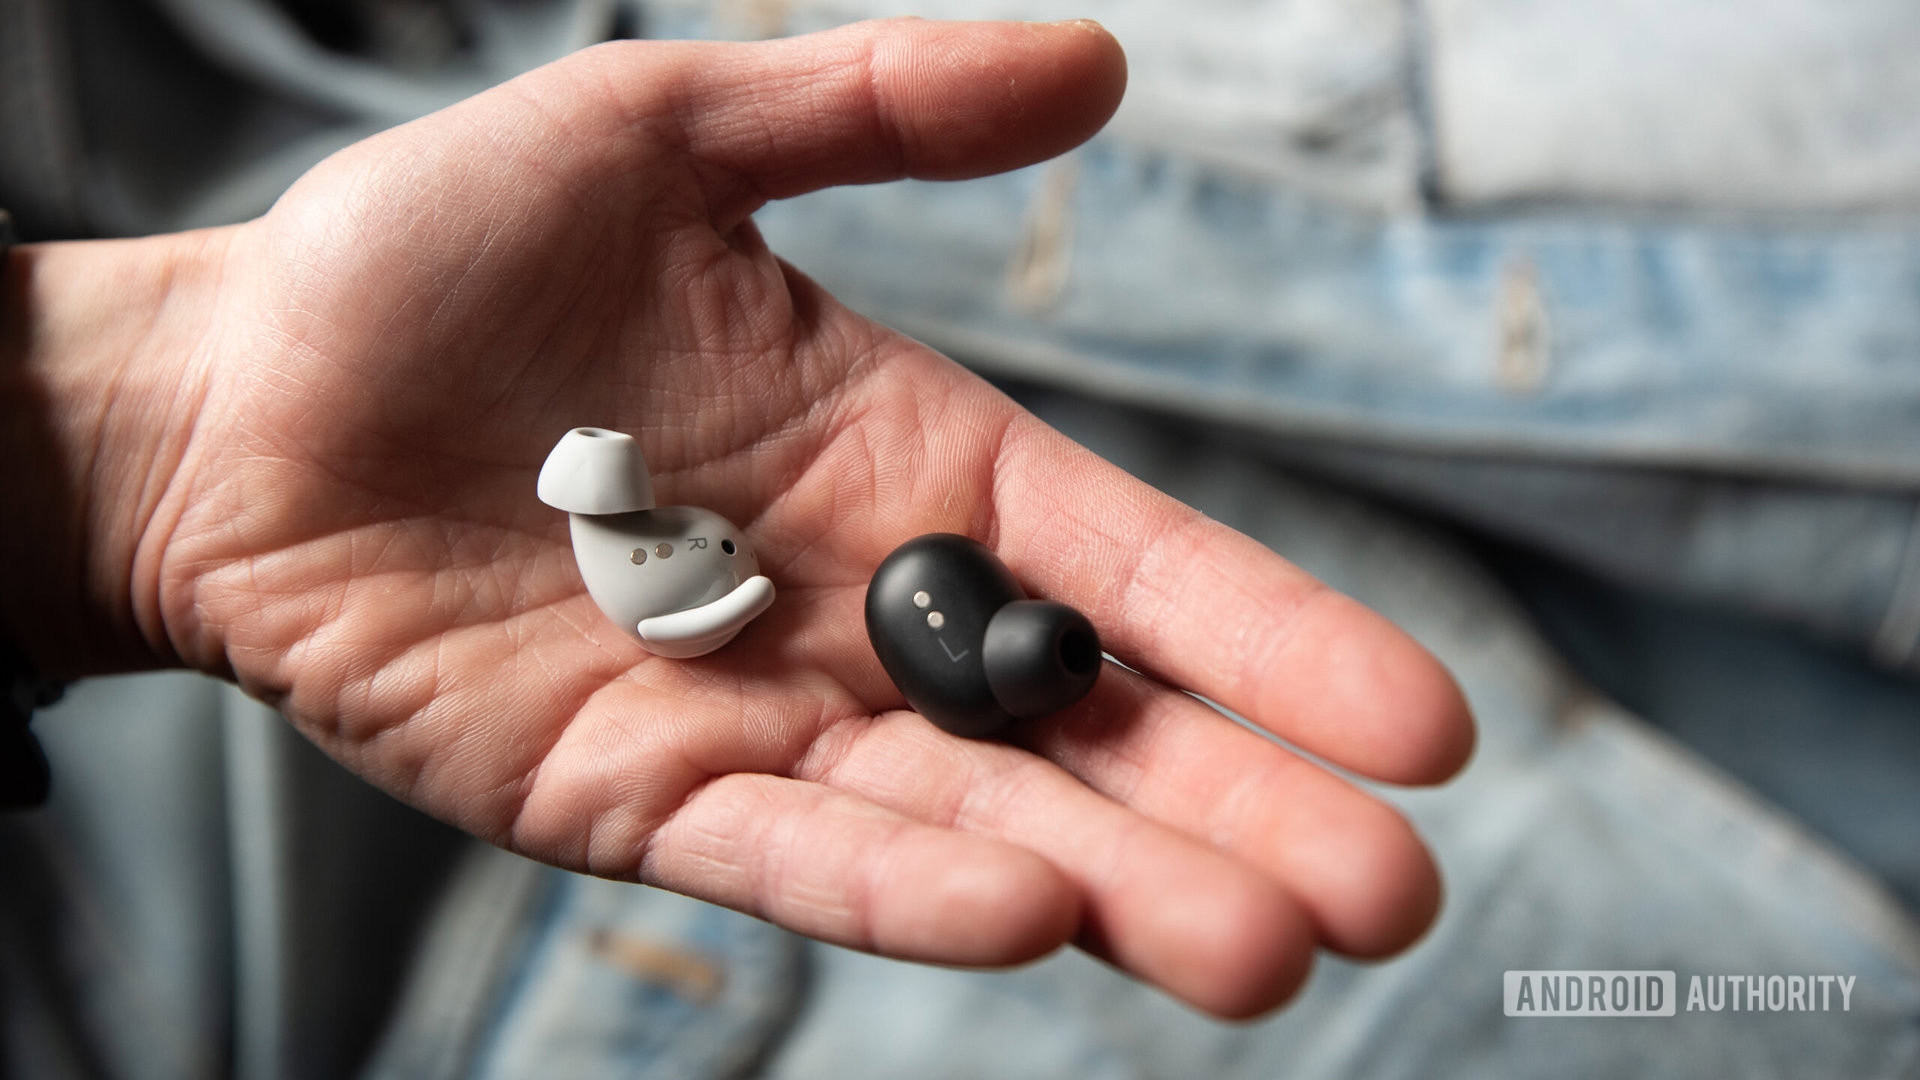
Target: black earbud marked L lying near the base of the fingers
967, 647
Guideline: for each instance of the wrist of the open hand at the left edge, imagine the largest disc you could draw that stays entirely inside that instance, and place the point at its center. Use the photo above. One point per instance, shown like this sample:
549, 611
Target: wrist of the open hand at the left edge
103, 370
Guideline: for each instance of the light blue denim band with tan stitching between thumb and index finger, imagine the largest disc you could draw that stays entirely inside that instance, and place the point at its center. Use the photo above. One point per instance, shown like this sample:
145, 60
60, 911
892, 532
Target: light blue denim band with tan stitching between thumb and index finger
1765, 351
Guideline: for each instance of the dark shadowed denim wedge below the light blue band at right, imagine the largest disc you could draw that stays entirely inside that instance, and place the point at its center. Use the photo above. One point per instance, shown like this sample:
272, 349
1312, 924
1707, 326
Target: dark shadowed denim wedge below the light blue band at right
1836, 562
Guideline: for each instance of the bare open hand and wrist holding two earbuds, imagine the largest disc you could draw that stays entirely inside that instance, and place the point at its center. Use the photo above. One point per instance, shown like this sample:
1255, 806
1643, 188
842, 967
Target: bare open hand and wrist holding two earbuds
300, 454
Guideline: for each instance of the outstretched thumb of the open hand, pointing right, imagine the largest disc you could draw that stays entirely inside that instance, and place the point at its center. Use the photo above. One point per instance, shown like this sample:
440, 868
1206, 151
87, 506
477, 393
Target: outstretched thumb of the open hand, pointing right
873, 101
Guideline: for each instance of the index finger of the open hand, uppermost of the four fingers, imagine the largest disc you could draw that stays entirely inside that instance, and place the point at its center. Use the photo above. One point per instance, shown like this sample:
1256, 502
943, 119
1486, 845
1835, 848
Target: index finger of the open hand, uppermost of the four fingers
1214, 612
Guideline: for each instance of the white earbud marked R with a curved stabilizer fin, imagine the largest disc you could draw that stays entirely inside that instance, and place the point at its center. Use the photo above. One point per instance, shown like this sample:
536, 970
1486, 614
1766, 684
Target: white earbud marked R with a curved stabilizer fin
677, 577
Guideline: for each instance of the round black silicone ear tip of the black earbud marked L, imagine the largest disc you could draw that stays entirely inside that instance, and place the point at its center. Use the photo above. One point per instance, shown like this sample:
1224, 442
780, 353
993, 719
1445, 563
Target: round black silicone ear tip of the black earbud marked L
1040, 658
